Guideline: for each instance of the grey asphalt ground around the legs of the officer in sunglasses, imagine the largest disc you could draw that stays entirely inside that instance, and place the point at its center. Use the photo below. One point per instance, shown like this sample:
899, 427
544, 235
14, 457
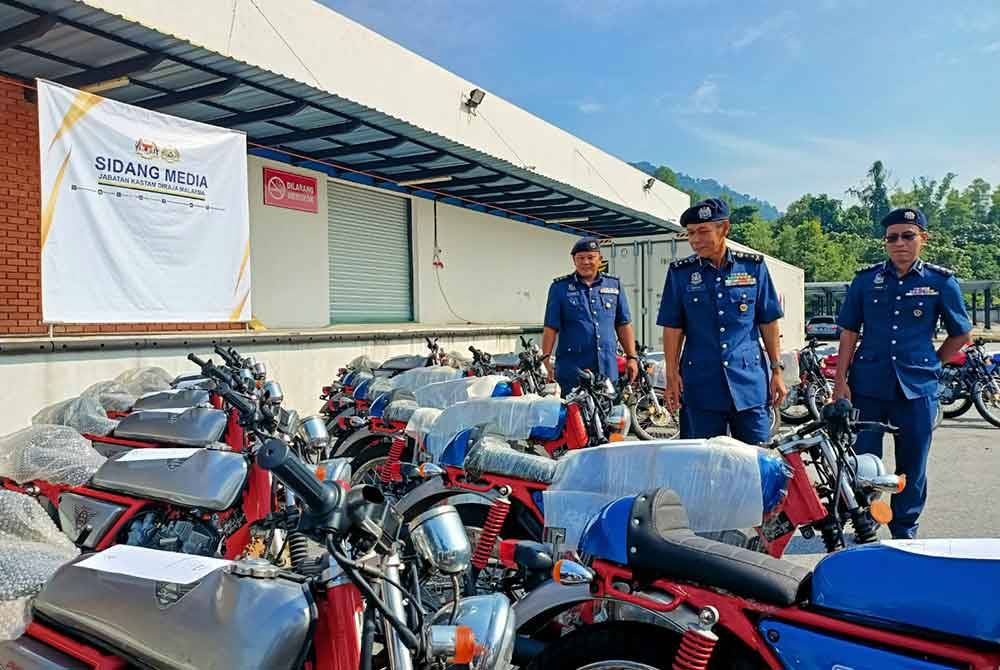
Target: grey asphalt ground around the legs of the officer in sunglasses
963, 486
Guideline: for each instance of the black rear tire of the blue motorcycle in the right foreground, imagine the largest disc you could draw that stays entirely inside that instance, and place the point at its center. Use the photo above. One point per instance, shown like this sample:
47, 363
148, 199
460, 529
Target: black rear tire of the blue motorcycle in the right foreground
612, 646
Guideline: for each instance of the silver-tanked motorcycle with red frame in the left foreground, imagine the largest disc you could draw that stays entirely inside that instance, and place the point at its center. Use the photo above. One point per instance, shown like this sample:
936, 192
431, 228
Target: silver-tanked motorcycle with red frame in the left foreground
93, 612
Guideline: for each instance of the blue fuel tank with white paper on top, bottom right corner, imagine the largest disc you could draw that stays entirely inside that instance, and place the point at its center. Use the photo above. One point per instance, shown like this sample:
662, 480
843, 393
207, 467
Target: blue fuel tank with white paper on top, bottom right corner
937, 585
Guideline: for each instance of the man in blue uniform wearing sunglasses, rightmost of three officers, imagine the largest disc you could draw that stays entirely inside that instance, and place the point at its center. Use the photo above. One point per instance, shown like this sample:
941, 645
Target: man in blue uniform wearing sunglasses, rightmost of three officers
893, 376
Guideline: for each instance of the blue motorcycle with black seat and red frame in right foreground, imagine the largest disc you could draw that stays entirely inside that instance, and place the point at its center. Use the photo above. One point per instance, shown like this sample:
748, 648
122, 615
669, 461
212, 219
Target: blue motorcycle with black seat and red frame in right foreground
656, 597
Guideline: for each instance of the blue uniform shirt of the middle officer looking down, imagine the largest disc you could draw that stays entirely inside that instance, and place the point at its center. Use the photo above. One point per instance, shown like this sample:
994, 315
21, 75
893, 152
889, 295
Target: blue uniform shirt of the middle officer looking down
719, 311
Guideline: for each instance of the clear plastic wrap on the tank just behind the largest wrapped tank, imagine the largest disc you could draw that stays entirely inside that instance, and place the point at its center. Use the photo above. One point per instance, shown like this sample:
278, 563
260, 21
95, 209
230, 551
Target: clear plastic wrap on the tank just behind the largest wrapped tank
512, 418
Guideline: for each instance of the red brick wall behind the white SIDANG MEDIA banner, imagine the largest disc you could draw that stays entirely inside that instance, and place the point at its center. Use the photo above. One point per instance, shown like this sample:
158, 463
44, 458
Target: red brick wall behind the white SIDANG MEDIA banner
20, 206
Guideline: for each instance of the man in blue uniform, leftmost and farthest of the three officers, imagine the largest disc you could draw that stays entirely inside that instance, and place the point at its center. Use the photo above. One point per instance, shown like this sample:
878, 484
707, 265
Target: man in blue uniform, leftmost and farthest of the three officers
589, 312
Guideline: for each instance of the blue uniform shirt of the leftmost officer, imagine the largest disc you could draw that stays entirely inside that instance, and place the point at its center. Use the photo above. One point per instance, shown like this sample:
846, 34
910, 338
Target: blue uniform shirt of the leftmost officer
586, 318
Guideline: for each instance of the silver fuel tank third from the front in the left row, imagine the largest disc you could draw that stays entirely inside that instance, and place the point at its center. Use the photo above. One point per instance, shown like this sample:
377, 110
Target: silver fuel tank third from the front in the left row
193, 427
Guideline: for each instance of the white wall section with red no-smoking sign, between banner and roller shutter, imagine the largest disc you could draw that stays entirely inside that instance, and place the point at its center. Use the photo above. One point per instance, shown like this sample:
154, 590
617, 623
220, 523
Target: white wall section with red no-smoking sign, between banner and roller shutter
288, 255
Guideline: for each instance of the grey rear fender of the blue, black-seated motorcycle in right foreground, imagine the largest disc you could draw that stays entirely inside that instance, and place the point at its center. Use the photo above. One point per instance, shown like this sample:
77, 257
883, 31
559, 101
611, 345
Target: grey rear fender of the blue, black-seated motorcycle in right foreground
550, 600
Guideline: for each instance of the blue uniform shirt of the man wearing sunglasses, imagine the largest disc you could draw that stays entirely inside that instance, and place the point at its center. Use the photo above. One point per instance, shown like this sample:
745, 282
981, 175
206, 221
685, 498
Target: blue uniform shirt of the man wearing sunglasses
898, 315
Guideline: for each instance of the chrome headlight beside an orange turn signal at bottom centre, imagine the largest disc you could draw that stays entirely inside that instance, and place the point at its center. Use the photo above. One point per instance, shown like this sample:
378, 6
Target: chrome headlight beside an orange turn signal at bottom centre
491, 620
